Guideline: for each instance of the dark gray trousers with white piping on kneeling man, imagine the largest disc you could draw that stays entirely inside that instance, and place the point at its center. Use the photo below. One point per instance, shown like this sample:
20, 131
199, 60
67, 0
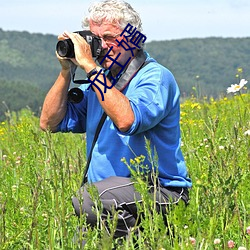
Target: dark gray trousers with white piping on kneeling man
119, 194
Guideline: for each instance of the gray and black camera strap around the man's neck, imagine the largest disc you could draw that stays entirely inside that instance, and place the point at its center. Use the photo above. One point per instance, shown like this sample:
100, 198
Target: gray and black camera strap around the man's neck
136, 64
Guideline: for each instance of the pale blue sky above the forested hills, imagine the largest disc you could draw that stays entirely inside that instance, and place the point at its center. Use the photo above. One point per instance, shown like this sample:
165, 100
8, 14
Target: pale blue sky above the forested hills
162, 19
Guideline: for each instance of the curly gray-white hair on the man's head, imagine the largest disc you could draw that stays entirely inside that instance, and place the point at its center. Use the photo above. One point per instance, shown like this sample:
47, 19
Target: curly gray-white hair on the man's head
114, 11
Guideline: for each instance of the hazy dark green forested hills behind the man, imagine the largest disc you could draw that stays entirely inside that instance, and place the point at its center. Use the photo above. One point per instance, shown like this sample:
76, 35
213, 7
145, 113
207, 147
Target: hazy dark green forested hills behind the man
28, 66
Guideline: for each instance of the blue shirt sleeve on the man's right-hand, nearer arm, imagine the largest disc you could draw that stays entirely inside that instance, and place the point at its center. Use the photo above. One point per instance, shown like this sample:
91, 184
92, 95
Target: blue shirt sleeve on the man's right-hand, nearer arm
153, 97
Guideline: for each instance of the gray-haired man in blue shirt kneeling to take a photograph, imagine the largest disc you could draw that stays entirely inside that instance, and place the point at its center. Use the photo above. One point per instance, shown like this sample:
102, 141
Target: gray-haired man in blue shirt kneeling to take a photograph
143, 105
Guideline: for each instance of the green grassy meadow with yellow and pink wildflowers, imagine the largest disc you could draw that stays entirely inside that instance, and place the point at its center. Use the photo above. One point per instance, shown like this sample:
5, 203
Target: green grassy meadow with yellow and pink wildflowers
40, 172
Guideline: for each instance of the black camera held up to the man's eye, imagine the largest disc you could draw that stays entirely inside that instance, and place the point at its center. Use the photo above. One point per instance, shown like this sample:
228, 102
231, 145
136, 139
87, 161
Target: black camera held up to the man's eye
65, 48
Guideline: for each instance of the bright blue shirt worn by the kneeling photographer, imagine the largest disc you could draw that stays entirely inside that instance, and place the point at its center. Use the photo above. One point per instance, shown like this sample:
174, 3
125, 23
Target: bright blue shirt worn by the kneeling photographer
154, 97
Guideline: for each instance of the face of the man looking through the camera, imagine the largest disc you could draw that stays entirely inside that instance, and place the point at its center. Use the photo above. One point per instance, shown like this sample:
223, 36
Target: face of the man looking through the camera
109, 33
